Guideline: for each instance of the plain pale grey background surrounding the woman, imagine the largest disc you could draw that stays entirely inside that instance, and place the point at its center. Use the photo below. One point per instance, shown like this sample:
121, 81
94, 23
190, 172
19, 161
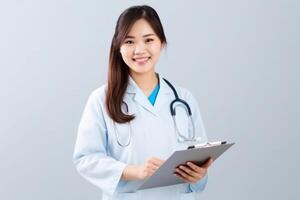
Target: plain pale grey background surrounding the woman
239, 58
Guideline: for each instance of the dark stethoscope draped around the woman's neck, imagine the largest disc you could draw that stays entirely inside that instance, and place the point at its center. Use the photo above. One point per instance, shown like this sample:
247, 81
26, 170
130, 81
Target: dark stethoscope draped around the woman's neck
173, 105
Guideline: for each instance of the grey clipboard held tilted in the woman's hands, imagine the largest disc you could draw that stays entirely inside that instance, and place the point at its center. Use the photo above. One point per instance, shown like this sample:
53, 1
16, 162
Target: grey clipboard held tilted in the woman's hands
164, 175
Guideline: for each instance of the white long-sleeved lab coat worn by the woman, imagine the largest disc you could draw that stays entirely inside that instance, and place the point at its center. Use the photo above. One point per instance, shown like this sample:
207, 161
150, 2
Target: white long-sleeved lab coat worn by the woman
101, 160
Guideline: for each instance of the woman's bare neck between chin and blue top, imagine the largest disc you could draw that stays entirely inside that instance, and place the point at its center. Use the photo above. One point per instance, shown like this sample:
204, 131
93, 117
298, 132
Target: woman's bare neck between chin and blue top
146, 82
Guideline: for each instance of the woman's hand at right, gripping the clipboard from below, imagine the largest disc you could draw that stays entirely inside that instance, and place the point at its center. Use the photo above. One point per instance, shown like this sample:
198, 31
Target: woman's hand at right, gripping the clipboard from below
192, 173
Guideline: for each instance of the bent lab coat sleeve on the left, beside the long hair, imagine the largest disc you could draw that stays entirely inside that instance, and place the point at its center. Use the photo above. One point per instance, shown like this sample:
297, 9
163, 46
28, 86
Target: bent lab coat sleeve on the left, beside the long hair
90, 154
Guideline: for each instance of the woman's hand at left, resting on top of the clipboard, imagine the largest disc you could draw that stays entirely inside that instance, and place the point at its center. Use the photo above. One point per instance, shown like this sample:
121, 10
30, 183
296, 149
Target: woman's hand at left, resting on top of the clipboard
149, 167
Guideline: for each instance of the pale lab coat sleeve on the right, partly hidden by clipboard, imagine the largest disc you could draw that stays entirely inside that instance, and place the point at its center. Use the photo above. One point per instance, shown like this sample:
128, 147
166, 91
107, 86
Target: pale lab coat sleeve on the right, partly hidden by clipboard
199, 125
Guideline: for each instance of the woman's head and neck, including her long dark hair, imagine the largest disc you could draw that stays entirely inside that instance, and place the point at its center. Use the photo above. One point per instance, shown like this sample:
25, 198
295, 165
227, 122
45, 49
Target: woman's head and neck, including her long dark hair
139, 35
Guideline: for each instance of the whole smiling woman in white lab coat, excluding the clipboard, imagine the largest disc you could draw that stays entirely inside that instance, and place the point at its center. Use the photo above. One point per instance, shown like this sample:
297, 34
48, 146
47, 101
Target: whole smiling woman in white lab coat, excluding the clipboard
127, 130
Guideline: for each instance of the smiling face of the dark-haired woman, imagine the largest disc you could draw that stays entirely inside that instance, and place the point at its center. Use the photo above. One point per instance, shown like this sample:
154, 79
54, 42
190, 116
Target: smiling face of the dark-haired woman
141, 48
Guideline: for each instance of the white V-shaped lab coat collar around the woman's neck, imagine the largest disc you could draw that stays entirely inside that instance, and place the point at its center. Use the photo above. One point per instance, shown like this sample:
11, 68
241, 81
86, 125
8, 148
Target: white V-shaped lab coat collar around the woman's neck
142, 99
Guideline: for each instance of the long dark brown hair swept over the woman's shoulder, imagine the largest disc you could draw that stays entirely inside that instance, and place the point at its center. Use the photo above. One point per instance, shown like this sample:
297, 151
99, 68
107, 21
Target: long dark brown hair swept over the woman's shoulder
118, 71
